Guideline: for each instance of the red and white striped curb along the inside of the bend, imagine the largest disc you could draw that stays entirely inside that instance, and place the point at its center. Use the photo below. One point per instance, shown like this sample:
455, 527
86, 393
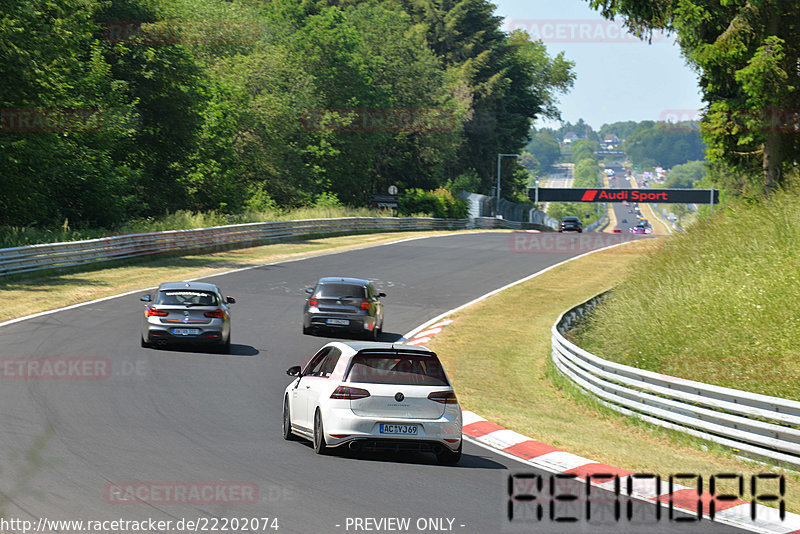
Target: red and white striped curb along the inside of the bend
736, 513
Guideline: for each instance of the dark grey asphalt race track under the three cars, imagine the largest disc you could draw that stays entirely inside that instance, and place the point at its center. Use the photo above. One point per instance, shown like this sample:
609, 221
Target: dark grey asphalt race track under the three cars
179, 418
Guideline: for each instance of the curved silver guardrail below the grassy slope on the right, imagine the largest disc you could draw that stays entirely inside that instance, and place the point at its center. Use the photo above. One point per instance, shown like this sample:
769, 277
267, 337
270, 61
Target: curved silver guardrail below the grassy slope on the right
754, 425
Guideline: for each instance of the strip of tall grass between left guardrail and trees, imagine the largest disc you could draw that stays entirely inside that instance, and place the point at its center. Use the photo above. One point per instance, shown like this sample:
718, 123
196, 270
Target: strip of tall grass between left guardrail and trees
14, 236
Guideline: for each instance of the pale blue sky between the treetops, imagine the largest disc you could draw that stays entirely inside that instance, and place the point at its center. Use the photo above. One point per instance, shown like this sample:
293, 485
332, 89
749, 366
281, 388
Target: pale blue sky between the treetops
618, 77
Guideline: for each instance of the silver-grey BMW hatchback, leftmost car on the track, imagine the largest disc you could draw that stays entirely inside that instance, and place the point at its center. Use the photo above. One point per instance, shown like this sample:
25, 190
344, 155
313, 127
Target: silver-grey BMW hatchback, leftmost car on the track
187, 312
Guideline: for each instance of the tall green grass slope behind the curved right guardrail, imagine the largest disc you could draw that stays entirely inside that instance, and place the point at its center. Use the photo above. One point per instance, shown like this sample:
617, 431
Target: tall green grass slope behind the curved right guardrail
717, 304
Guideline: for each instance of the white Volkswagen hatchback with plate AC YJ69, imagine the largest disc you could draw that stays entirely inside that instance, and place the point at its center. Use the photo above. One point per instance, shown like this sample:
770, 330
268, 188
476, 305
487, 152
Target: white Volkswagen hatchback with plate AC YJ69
374, 396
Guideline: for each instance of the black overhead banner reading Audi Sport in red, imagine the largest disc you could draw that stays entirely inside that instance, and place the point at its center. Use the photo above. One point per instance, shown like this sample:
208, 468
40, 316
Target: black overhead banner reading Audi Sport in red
666, 196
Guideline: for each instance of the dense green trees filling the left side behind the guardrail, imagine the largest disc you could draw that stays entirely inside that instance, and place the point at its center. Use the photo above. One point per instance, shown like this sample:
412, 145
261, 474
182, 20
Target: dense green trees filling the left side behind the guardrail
120, 109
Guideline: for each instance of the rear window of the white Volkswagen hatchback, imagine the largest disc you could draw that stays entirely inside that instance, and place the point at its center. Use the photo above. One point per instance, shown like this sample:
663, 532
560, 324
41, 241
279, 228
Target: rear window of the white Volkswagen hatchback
401, 369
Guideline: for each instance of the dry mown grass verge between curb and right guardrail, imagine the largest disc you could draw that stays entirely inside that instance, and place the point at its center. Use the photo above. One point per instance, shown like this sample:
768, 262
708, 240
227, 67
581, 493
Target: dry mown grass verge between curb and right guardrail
500, 365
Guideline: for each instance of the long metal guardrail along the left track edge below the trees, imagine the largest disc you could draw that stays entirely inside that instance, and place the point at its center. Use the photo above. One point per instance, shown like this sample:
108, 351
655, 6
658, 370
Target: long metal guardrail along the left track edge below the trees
58, 255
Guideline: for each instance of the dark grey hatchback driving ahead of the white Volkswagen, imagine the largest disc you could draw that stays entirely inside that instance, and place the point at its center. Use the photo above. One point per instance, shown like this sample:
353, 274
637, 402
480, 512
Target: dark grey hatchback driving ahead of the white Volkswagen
350, 305
